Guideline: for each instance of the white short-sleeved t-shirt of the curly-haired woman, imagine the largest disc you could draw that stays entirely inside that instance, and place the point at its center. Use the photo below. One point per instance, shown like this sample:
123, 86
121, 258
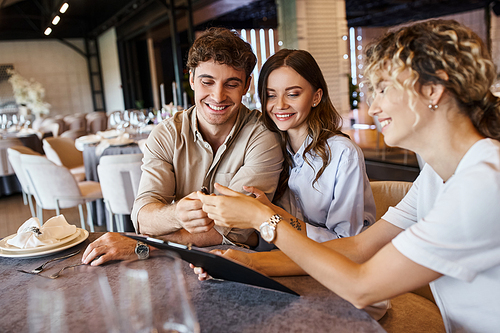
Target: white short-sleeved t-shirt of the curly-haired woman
454, 228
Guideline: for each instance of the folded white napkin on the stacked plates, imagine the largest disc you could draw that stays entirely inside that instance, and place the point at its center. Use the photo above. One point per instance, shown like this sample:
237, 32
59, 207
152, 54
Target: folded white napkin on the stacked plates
30, 234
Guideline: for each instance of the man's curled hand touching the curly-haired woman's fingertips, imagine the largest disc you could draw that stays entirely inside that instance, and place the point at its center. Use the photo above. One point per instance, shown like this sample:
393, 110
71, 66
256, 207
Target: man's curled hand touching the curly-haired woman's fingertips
191, 216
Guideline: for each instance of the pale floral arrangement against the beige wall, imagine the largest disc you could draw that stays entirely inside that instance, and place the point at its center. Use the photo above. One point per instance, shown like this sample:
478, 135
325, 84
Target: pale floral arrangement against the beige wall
29, 93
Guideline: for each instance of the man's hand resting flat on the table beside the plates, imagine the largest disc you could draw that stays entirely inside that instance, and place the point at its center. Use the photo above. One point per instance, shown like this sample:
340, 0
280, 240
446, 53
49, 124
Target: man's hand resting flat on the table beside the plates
110, 246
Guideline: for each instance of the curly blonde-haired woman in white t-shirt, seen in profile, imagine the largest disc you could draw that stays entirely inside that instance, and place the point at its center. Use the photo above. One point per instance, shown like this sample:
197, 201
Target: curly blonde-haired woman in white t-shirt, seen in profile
432, 95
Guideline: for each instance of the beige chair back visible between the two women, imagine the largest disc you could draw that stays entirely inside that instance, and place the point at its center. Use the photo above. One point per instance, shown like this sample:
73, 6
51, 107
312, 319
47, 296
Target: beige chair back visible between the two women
387, 194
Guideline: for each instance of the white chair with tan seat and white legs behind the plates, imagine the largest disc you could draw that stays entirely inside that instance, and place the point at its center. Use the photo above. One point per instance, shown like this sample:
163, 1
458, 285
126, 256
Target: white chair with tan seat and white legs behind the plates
54, 187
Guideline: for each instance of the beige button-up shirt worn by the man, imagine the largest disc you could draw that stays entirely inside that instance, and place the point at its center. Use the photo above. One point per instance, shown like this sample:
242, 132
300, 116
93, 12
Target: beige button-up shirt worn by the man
178, 161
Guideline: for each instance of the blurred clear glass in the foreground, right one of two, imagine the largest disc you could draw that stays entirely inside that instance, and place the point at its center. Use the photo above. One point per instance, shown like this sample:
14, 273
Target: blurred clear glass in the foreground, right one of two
153, 297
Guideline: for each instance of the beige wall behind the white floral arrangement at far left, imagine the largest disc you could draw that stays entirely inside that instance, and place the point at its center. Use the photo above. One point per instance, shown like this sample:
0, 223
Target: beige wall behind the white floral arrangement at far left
61, 71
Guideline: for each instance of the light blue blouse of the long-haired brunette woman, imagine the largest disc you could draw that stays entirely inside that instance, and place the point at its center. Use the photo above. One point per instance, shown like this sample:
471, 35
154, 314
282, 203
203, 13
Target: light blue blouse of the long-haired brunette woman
340, 203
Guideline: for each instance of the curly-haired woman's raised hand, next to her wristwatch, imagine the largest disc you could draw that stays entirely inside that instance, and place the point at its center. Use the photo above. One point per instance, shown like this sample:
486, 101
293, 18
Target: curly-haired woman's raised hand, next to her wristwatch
235, 210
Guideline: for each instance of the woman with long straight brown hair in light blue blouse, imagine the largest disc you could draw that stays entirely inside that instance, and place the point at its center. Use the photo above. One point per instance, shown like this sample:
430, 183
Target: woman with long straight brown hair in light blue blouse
323, 169
